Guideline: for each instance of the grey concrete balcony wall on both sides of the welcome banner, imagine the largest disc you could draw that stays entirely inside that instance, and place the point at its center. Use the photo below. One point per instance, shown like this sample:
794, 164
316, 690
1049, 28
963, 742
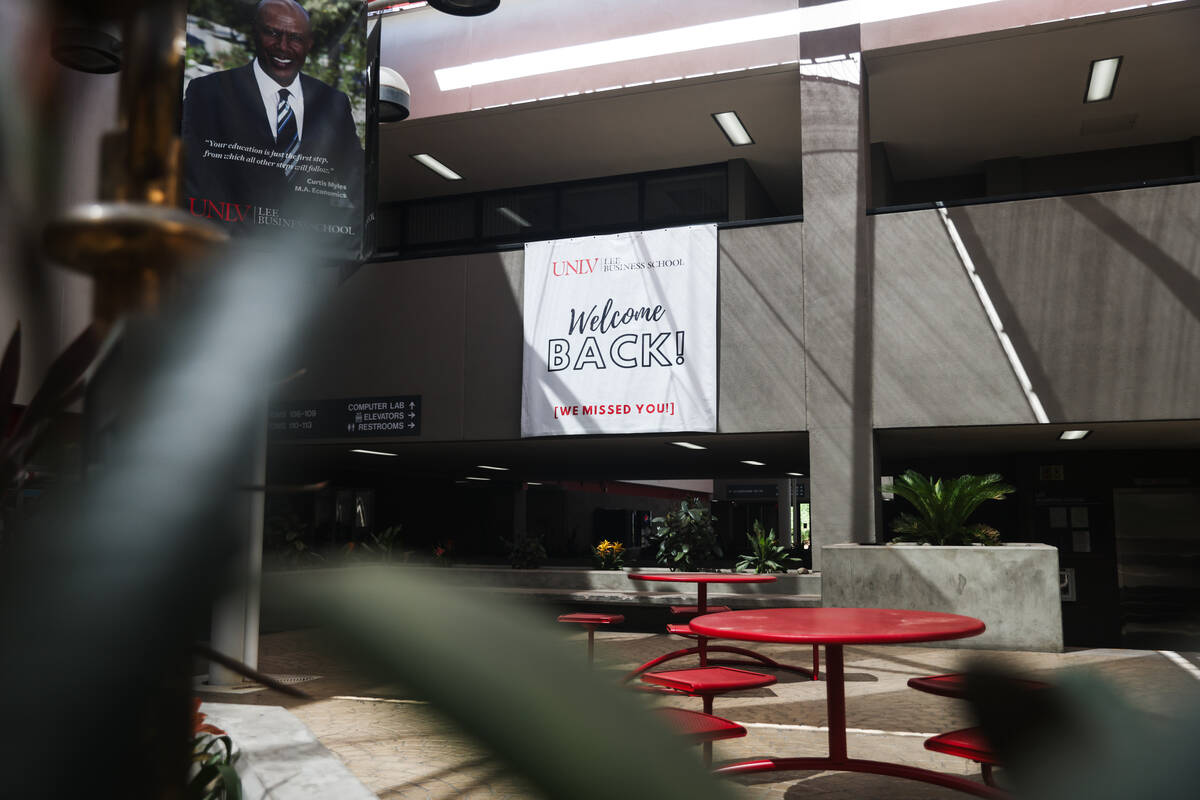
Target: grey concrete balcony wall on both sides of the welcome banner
1100, 293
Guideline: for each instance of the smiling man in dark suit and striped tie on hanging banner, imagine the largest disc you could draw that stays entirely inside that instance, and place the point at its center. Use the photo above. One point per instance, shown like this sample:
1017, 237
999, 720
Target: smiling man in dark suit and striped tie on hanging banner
266, 142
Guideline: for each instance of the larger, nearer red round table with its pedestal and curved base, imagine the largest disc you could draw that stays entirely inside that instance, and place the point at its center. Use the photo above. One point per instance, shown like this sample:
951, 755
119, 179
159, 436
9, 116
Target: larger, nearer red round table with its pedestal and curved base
837, 628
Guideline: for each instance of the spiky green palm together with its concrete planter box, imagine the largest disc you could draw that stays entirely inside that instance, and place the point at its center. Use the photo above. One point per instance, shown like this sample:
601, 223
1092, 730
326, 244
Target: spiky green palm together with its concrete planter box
937, 563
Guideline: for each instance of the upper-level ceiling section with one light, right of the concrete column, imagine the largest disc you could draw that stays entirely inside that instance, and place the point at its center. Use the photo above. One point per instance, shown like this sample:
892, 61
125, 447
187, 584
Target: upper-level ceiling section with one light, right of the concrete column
944, 109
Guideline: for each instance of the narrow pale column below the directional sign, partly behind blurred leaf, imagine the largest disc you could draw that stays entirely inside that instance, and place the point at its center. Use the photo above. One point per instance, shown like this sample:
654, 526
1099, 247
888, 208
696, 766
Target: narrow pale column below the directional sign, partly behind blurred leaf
236, 616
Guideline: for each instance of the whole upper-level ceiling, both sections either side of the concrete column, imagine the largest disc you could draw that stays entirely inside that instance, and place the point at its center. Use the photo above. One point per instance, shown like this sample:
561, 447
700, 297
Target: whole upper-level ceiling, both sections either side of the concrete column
943, 109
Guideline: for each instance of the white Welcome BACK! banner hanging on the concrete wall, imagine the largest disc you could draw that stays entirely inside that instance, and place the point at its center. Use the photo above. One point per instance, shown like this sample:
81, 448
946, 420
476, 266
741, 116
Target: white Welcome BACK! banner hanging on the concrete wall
621, 334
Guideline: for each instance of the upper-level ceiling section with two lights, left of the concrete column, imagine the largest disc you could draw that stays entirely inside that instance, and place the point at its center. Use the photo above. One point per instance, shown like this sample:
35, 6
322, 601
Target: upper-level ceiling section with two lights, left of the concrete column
644, 129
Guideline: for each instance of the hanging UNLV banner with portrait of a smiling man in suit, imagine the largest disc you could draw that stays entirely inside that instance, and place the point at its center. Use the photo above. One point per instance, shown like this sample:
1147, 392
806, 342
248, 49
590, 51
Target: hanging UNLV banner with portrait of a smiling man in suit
277, 118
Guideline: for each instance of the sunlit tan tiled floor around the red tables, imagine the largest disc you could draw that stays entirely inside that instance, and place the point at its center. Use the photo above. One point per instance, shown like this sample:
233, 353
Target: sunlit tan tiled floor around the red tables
400, 748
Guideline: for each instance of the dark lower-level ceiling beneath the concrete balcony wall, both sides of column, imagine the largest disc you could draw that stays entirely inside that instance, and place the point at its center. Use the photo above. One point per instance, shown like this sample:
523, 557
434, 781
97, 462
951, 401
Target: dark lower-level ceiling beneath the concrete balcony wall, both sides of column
563, 459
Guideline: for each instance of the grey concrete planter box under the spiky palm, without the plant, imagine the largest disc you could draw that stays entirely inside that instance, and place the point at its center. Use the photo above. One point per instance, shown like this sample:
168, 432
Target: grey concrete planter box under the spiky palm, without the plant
1013, 590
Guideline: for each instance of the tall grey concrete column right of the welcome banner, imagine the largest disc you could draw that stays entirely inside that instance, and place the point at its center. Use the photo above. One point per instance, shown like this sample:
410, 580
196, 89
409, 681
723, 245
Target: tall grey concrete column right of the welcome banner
839, 263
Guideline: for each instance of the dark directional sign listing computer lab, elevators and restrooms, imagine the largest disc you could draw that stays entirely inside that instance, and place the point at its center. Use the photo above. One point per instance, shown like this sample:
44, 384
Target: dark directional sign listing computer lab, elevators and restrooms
356, 418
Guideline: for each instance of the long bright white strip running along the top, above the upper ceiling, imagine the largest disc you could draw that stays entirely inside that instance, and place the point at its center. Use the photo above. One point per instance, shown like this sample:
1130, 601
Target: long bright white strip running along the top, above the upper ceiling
693, 38
